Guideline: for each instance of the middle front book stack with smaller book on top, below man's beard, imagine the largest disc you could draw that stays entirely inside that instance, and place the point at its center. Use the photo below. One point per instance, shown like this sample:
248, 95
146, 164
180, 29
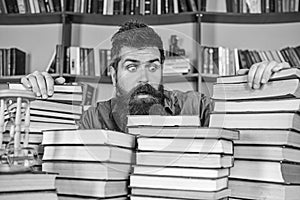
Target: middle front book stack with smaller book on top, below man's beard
177, 159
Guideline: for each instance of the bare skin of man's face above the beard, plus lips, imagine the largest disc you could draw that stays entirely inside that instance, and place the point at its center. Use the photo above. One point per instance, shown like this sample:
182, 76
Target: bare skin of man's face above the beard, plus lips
137, 67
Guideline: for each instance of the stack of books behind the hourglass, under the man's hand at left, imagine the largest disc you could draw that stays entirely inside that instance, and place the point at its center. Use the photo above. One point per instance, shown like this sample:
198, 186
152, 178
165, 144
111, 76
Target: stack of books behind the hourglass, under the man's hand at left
59, 111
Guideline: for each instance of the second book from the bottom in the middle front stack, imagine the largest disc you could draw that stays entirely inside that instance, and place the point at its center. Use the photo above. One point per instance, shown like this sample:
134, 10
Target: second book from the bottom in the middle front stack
178, 183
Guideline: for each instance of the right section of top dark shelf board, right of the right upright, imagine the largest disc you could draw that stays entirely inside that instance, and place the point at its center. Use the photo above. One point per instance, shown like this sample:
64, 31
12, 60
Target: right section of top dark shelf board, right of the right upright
245, 18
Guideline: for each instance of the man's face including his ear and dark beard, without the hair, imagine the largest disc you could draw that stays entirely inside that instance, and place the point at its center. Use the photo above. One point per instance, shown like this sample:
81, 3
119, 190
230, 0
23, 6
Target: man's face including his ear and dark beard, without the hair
139, 78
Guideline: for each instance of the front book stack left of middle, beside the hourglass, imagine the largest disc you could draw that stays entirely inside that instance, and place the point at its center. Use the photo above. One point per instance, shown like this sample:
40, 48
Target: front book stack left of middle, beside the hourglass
91, 164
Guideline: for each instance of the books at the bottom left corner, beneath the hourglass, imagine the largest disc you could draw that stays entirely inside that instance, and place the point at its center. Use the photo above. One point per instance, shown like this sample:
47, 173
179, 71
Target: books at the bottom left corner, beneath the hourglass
27, 186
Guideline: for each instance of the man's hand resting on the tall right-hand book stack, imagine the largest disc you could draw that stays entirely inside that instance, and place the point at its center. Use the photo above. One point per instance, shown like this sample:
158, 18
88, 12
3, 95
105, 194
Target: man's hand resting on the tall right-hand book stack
260, 73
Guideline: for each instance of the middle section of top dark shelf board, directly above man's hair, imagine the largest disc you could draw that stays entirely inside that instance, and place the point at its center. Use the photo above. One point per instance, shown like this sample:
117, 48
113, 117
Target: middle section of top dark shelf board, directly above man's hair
115, 20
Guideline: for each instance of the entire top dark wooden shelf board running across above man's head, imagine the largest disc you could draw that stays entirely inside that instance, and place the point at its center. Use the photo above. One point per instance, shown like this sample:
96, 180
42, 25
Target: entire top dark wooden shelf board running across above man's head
189, 17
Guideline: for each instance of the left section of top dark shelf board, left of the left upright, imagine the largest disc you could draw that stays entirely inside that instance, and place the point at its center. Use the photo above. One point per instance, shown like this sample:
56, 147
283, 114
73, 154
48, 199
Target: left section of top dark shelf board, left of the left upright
28, 19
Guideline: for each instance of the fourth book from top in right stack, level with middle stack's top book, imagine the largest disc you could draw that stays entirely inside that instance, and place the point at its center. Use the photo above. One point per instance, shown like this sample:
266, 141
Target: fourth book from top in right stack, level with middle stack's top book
256, 120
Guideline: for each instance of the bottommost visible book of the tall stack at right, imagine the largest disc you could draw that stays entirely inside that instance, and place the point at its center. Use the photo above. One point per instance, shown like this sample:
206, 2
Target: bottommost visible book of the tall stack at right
262, 190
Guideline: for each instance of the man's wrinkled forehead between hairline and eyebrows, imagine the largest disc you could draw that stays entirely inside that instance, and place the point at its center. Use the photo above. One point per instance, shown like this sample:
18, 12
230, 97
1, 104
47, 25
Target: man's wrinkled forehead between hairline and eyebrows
147, 53
